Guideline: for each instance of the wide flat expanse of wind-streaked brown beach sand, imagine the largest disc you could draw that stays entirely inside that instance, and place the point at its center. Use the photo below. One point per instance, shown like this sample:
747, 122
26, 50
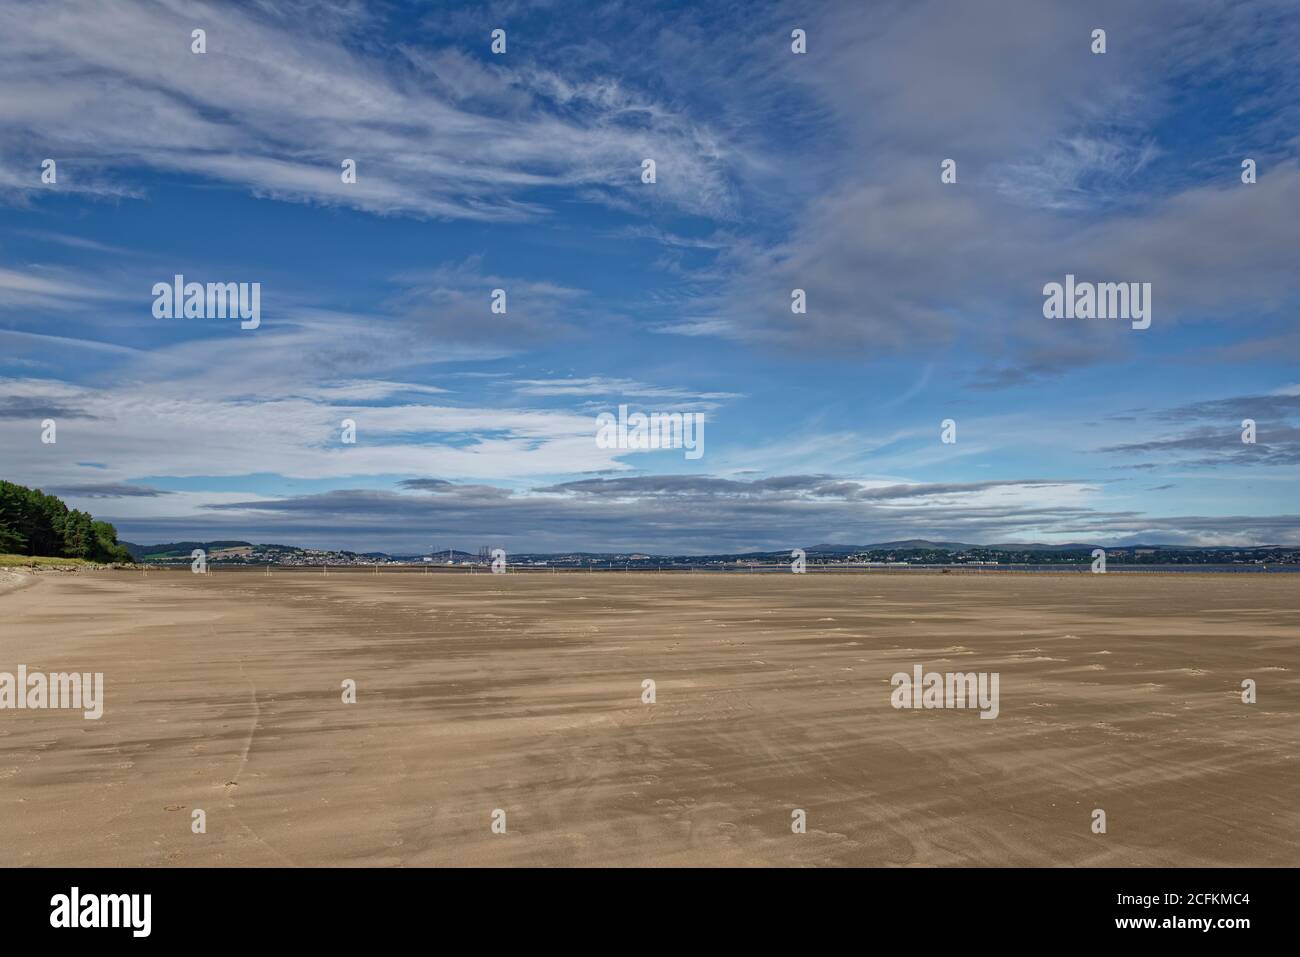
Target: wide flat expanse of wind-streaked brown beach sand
523, 692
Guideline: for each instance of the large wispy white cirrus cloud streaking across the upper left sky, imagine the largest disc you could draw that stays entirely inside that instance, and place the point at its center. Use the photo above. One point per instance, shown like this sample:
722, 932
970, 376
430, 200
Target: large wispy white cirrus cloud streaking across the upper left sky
283, 96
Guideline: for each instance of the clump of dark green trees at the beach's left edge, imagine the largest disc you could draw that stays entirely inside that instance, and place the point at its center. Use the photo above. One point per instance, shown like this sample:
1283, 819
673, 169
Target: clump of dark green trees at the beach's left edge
33, 523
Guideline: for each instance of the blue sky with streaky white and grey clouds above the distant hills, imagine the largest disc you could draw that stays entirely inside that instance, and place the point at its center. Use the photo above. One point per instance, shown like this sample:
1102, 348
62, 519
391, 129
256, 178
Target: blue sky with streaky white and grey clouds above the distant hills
774, 171
